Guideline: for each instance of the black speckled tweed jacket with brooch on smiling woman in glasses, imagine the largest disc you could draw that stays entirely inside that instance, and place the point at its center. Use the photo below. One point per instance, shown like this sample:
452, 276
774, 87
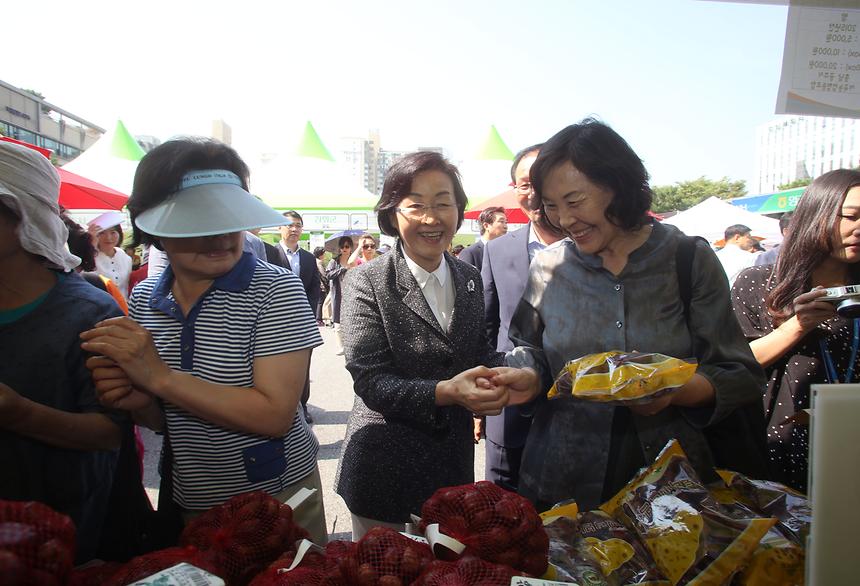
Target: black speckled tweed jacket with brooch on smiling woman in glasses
399, 446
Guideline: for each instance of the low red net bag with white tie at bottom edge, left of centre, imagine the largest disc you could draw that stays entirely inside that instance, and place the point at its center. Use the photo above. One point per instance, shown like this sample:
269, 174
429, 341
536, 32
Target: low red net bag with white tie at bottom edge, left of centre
330, 568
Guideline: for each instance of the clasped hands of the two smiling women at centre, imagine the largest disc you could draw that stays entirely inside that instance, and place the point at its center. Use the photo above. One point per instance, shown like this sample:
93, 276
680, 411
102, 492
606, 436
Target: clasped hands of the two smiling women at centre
486, 391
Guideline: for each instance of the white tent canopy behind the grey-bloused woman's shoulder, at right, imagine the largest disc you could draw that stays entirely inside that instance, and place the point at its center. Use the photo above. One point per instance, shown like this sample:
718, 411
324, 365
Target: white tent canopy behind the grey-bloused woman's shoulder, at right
710, 218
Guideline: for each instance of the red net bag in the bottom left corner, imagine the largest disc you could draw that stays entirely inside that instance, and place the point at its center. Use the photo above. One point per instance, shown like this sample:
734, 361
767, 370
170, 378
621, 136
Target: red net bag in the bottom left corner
37, 544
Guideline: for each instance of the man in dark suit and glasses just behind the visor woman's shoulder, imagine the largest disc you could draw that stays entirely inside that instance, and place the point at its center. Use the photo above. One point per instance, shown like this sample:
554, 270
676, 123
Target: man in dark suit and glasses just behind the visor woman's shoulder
290, 256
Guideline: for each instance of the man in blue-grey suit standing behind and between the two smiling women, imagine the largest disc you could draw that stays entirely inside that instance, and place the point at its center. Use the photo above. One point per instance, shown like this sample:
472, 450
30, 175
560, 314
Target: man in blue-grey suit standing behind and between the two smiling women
505, 272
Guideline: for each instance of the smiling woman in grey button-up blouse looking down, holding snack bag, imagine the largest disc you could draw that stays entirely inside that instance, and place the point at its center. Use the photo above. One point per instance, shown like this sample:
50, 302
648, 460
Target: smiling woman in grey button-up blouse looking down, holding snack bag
613, 285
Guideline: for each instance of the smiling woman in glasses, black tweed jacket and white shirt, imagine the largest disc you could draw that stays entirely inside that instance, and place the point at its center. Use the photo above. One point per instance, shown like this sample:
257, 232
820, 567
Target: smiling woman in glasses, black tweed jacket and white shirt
418, 374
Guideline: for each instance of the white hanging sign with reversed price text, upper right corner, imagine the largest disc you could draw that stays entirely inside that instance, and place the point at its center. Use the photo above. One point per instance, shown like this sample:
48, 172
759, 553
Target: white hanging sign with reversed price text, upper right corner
821, 63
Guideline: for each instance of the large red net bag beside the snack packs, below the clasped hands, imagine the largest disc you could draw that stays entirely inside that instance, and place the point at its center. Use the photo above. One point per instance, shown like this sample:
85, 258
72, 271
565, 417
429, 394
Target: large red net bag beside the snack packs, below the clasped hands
496, 525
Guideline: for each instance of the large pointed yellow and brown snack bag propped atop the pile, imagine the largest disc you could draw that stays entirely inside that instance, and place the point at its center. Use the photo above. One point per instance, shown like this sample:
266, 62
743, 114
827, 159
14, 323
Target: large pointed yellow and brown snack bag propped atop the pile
690, 536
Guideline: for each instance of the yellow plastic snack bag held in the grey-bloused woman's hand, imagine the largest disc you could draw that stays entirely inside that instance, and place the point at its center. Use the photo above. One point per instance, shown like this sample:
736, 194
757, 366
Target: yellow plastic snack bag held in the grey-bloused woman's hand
622, 378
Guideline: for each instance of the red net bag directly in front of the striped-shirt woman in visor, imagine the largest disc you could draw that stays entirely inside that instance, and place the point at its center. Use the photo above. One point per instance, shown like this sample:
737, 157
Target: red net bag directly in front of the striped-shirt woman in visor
244, 535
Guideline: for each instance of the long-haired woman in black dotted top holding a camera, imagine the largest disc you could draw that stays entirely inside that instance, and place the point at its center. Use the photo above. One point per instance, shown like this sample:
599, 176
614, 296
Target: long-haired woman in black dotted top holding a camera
799, 339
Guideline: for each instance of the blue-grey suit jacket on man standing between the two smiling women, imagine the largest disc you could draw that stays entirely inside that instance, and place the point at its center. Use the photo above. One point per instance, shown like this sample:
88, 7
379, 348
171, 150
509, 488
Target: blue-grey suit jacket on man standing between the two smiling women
505, 272
